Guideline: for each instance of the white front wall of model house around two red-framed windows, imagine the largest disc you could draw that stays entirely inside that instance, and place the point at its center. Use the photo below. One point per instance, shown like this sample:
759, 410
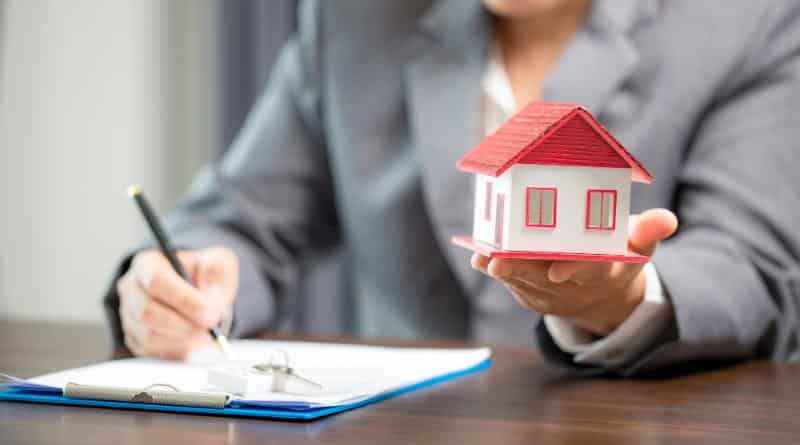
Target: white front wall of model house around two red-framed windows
570, 233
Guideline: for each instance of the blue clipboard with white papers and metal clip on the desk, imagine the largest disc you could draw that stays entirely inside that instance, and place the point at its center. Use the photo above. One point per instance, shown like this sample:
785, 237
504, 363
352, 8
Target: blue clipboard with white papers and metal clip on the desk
309, 380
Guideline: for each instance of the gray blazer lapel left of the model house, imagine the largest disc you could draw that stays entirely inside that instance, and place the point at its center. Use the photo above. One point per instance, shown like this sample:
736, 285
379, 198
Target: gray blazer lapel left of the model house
444, 107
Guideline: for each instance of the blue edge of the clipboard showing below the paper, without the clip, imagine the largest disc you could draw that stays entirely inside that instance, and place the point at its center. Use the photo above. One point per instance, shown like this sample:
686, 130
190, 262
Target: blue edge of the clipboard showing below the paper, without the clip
277, 411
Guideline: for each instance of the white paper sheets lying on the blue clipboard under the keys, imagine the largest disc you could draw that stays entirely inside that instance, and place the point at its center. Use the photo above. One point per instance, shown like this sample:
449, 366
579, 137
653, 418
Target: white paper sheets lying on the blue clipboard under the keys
347, 373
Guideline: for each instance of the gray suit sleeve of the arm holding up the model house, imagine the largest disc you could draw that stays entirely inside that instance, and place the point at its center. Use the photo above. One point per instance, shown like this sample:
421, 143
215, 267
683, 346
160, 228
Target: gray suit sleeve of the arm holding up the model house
732, 269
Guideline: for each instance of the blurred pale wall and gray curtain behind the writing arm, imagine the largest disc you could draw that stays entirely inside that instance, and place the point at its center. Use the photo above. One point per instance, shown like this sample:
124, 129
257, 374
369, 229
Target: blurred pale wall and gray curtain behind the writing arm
98, 94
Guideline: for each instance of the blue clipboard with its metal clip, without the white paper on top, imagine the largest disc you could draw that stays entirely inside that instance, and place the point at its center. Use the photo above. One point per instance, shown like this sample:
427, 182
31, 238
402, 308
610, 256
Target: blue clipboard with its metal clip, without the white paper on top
163, 398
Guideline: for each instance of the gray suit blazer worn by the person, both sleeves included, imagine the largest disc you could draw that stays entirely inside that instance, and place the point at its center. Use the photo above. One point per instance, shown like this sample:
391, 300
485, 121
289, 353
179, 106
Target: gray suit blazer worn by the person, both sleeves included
340, 193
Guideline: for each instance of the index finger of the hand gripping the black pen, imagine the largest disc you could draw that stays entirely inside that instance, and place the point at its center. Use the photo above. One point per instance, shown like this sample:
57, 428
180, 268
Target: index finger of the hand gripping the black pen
155, 275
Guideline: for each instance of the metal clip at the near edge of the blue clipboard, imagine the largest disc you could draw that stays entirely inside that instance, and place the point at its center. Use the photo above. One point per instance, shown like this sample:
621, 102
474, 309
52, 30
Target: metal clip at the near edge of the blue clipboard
158, 394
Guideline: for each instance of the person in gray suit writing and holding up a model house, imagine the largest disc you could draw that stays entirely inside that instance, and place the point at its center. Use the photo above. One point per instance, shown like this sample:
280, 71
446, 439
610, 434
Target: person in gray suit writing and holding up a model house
352, 147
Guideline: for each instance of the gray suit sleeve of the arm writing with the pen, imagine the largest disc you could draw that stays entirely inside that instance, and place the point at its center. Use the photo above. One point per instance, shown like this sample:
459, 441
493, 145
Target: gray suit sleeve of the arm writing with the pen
270, 198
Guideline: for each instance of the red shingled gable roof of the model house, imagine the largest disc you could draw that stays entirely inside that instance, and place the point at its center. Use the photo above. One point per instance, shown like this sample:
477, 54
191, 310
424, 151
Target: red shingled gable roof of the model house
551, 133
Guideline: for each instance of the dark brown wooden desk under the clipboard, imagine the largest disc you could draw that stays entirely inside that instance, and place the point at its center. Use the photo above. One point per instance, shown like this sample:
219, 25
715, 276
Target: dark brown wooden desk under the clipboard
519, 400
